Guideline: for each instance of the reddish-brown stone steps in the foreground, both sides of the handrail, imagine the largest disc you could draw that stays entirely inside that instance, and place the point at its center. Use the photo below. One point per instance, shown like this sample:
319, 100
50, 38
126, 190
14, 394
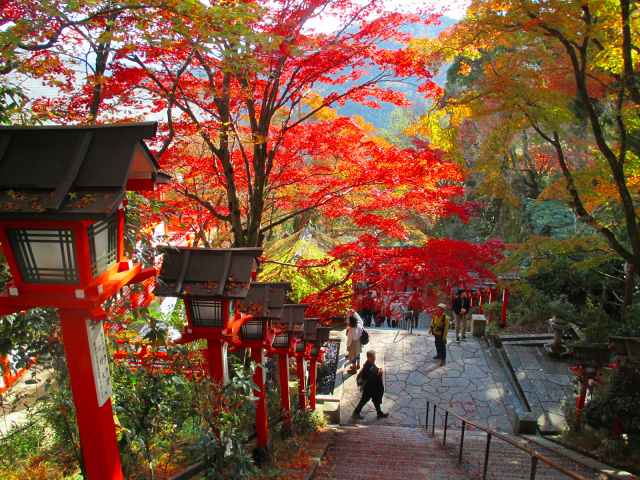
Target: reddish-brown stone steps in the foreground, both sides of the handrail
371, 452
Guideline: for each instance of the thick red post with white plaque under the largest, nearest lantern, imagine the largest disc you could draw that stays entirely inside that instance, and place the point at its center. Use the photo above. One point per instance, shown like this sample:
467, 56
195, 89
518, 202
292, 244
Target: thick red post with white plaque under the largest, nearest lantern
95, 422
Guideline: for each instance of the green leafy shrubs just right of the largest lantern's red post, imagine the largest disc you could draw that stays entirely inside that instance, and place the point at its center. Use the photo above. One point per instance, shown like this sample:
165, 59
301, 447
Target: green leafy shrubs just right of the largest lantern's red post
168, 420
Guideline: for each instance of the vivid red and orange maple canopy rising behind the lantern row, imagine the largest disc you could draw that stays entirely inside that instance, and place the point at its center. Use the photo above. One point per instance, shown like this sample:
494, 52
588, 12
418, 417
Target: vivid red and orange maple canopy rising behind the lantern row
250, 96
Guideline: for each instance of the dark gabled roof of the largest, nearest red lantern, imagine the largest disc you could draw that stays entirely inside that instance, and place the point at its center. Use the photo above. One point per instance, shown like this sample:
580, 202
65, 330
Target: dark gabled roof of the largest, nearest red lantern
71, 171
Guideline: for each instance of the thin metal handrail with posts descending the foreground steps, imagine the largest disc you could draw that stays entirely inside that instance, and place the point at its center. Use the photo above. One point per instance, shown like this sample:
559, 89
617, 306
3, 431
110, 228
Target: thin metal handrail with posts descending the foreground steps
533, 454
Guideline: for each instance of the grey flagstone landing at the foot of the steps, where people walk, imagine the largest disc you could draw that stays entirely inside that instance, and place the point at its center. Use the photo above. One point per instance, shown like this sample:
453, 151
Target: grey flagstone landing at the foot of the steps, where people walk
467, 383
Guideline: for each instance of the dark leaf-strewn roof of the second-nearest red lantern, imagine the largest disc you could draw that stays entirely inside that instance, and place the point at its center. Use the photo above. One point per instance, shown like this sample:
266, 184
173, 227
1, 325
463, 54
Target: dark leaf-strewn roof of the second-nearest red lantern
206, 272
